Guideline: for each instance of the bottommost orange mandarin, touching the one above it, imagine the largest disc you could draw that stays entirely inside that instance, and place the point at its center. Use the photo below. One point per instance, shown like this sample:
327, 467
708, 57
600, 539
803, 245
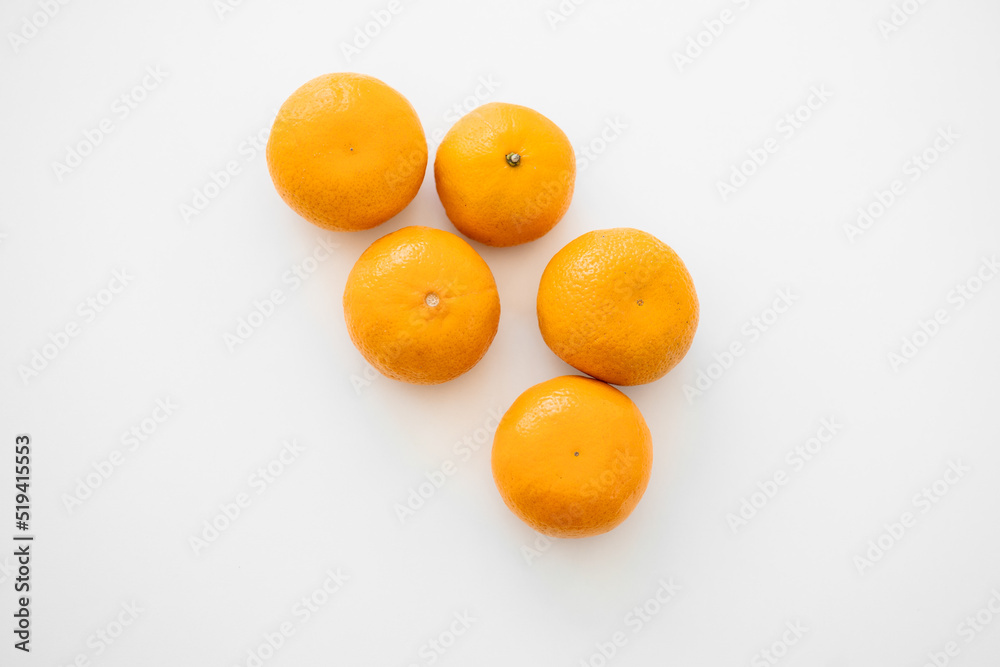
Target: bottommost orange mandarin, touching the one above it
572, 457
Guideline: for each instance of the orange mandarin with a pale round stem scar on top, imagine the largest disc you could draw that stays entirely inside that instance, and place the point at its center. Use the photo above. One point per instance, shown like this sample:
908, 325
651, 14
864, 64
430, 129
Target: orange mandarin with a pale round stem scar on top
421, 305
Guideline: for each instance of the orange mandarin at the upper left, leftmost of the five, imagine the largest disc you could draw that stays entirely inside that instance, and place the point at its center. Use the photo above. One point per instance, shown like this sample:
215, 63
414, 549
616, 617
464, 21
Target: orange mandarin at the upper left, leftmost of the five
347, 152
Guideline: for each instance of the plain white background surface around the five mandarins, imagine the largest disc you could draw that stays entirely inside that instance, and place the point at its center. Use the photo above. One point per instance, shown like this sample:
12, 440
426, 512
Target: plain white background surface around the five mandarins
367, 445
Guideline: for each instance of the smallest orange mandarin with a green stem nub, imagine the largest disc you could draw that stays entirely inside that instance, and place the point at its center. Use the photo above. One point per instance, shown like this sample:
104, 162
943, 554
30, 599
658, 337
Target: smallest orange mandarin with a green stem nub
505, 174
